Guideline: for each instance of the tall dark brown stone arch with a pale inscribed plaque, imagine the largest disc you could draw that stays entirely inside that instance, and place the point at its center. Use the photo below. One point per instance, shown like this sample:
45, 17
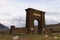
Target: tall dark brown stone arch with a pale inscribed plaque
31, 15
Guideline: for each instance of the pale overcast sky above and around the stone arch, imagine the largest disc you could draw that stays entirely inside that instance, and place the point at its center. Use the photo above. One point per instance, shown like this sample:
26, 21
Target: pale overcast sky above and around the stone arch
12, 12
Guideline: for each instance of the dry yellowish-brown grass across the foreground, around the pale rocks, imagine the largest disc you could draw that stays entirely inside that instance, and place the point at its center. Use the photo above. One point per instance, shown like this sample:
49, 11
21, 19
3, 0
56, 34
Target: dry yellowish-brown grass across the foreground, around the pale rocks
32, 37
